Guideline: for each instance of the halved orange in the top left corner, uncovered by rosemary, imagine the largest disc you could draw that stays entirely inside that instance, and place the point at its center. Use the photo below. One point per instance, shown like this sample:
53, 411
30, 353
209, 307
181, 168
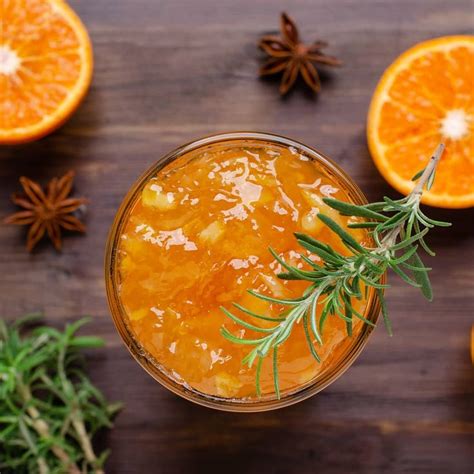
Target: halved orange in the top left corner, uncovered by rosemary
45, 67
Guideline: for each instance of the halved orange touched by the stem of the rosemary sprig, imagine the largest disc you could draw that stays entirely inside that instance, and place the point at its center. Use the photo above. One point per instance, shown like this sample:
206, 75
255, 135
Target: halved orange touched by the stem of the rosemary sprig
426, 97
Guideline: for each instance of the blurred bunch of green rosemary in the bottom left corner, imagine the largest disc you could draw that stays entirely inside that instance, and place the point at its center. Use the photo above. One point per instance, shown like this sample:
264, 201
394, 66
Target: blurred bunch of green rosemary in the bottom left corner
49, 410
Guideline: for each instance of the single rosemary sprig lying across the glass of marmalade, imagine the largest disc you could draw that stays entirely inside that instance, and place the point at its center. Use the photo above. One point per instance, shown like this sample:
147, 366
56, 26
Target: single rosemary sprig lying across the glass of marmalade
398, 229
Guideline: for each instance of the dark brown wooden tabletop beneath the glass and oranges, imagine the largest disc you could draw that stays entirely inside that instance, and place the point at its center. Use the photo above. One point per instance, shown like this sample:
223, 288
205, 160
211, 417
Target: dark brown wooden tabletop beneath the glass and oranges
170, 71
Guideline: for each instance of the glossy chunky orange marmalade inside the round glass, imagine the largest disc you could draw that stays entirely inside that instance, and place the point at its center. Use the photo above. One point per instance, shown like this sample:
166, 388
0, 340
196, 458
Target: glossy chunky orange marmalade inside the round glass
196, 238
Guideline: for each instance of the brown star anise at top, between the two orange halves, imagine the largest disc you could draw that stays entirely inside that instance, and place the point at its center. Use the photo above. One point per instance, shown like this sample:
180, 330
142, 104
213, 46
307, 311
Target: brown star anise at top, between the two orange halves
290, 55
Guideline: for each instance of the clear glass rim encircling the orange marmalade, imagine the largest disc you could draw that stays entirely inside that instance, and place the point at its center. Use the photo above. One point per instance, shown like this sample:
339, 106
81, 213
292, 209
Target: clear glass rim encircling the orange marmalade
153, 367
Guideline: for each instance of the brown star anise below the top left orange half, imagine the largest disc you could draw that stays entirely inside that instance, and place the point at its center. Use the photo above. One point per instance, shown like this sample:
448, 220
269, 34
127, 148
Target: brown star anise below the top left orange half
47, 211
